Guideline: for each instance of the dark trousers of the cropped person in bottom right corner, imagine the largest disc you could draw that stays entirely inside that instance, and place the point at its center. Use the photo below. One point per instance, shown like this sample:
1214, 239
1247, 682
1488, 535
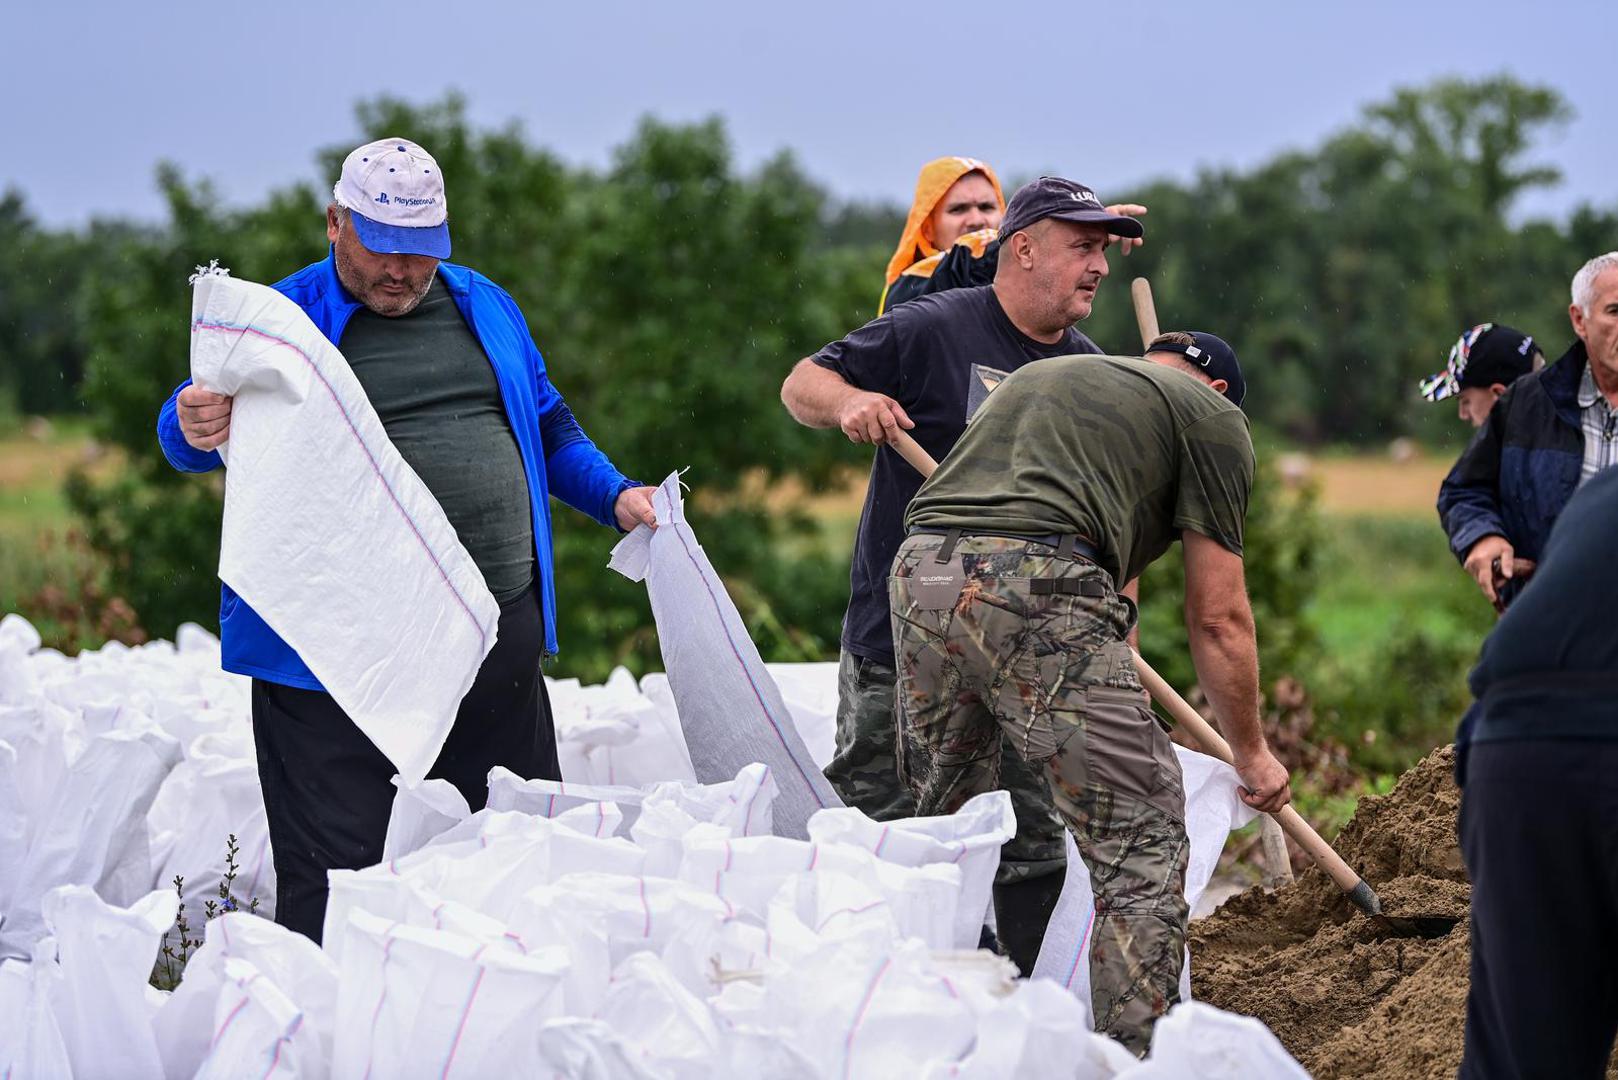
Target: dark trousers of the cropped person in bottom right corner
1540, 830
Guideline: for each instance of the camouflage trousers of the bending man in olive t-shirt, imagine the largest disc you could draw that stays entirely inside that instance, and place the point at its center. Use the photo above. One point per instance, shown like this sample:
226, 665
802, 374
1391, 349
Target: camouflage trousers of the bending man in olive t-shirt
1009, 642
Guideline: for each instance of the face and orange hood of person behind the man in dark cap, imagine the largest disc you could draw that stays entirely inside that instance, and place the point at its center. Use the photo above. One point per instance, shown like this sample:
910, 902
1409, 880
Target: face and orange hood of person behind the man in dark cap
959, 200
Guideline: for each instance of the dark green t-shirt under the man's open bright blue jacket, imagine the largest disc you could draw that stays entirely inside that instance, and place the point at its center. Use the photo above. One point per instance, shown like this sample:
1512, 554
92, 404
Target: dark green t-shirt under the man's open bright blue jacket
438, 398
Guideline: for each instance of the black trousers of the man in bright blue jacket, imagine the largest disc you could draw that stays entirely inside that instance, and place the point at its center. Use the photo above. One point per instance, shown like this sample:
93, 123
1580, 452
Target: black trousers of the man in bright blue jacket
329, 793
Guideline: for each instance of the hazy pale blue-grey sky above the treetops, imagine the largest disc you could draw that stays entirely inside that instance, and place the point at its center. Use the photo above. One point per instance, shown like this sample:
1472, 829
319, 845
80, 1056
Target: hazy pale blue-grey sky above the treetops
98, 93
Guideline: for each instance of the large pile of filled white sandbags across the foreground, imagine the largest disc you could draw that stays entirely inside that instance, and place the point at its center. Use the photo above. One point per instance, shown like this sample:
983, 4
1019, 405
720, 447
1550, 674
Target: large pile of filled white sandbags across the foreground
625, 924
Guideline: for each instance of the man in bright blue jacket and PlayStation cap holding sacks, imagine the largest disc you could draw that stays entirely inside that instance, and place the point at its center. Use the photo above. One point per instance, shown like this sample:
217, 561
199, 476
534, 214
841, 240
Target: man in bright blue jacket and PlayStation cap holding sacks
447, 362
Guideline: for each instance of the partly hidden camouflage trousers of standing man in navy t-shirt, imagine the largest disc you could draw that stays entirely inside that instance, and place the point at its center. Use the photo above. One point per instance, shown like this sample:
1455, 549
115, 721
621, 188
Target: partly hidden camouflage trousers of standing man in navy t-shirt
865, 773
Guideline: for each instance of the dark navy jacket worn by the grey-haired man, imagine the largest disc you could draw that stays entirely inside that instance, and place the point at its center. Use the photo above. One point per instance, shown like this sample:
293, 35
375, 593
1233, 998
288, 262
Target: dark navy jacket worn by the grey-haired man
1522, 466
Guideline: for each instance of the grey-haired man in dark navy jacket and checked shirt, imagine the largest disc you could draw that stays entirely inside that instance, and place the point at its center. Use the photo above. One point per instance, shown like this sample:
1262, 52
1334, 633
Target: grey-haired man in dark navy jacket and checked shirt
1551, 432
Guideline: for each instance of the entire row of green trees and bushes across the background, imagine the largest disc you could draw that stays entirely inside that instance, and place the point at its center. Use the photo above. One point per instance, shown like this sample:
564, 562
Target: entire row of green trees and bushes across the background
671, 294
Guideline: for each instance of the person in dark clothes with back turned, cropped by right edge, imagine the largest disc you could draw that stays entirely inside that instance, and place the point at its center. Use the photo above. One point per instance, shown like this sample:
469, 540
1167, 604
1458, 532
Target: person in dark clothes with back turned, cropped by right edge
1540, 812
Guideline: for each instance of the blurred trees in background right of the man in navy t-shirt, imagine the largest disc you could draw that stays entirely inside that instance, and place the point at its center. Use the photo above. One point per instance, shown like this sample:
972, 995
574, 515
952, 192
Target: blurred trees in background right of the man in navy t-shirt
1345, 273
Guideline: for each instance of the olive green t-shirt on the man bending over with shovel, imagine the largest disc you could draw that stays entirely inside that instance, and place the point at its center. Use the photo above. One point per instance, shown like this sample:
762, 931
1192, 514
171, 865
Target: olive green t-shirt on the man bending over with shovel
1124, 453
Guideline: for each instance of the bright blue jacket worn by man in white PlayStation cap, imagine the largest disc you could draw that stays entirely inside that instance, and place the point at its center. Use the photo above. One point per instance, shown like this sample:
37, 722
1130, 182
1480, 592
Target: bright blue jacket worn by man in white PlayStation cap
557, 456
